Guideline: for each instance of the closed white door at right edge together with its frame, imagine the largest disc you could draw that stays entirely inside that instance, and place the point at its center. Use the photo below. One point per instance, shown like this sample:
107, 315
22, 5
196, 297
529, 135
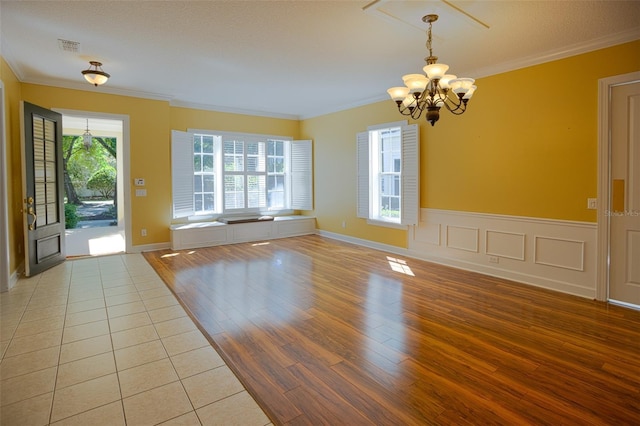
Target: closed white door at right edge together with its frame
619, 190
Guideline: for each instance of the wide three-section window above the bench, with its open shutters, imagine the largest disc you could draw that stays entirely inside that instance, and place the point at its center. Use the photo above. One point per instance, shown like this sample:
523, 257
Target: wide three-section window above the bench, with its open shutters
216, 173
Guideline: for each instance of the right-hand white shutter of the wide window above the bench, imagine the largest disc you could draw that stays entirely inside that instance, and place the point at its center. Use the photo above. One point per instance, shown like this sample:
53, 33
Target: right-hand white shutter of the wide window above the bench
302, 175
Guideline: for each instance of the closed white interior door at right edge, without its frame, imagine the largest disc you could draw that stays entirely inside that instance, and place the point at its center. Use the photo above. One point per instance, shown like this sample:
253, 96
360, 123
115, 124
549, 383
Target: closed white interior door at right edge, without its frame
624, 209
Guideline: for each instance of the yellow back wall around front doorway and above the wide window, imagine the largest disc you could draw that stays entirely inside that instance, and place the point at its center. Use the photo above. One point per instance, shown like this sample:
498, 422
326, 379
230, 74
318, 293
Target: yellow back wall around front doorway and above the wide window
151, 123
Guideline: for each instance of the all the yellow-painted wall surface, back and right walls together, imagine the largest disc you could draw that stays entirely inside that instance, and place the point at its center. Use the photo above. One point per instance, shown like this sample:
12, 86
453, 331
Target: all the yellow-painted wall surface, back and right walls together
526, 147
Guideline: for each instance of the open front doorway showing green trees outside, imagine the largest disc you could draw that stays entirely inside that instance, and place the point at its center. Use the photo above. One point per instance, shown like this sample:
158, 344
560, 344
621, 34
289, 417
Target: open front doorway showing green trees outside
96, 157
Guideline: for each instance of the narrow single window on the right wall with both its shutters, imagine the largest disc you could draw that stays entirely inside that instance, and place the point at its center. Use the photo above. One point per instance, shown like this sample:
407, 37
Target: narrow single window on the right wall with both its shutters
388, 174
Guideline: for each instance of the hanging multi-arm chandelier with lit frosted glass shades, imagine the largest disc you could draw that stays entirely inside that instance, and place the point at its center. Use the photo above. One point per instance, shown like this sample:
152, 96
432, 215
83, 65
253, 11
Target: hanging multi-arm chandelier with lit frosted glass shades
431, 92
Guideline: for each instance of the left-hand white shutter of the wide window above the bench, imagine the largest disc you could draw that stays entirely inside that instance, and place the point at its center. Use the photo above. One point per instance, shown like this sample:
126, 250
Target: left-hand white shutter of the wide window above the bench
182, 173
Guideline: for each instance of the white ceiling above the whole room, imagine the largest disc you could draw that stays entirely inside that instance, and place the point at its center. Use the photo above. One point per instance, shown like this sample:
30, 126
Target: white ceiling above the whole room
293, 59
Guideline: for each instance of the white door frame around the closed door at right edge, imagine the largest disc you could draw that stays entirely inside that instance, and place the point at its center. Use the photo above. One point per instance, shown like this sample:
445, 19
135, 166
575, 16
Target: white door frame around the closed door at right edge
604, 178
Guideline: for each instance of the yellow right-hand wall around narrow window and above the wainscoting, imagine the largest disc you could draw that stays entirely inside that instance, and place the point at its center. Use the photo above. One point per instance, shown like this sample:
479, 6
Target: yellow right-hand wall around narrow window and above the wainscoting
527, 146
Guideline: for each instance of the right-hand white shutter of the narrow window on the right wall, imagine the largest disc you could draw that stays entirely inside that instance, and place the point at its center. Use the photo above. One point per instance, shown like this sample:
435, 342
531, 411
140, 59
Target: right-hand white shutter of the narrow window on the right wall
410, 194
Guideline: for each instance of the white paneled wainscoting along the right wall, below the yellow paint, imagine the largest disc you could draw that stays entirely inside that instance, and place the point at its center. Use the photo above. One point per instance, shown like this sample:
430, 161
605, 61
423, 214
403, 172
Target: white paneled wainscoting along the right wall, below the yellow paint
555, 254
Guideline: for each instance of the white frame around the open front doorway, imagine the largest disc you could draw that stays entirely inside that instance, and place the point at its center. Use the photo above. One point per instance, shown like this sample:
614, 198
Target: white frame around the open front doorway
126, 172
